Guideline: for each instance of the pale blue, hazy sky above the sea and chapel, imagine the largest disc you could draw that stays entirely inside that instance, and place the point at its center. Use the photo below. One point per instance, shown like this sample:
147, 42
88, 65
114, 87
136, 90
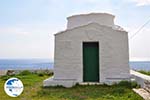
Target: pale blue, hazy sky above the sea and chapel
27, 26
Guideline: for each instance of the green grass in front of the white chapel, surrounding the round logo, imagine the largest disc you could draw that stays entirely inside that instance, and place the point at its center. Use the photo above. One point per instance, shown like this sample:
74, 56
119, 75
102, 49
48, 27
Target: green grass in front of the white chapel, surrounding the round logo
33, 90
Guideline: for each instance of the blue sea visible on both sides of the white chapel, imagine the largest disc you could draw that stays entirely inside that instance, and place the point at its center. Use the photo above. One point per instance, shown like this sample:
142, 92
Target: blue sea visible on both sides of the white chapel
42, 64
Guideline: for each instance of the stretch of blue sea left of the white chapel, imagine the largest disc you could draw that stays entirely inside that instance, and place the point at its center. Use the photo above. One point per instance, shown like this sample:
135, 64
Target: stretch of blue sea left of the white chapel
26, 64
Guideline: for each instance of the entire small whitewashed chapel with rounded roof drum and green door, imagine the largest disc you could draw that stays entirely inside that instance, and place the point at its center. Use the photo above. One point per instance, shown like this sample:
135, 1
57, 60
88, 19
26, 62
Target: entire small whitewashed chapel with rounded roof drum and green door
91, 49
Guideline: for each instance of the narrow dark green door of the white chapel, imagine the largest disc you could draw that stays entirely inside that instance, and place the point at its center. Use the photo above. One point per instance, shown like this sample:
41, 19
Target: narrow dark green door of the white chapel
90, 62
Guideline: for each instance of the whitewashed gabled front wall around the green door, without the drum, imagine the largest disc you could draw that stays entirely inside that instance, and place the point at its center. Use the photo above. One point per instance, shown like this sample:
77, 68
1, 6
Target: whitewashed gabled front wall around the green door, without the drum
113, 53
